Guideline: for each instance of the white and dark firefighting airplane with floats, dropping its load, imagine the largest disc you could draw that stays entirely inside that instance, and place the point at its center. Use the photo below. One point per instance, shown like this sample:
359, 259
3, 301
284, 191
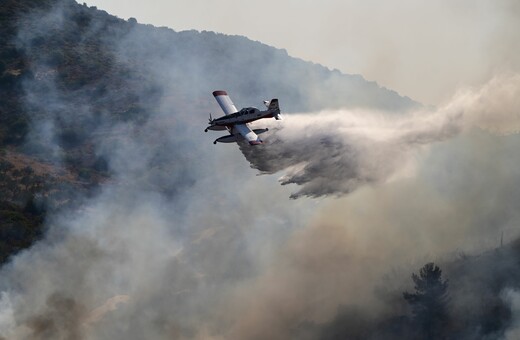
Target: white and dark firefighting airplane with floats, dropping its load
237, 122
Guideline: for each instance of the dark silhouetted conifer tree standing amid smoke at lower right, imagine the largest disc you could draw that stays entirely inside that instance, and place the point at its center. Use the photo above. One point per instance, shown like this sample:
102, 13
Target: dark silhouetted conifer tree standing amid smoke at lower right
429, 302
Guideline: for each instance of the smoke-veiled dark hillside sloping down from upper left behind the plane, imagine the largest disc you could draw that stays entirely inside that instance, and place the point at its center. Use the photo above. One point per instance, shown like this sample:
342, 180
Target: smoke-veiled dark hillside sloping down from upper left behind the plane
69, 72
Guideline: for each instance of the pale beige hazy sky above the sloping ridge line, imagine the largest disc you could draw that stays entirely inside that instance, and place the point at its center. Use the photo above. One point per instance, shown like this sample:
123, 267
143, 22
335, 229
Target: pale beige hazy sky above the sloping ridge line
422, 49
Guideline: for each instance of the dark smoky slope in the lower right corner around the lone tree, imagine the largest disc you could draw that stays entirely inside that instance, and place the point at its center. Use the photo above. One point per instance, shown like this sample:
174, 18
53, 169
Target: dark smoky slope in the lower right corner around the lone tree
478, 303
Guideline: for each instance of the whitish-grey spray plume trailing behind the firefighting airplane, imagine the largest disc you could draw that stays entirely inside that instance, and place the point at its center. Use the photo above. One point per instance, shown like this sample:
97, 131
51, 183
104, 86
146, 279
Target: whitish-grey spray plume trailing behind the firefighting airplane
335, 152
